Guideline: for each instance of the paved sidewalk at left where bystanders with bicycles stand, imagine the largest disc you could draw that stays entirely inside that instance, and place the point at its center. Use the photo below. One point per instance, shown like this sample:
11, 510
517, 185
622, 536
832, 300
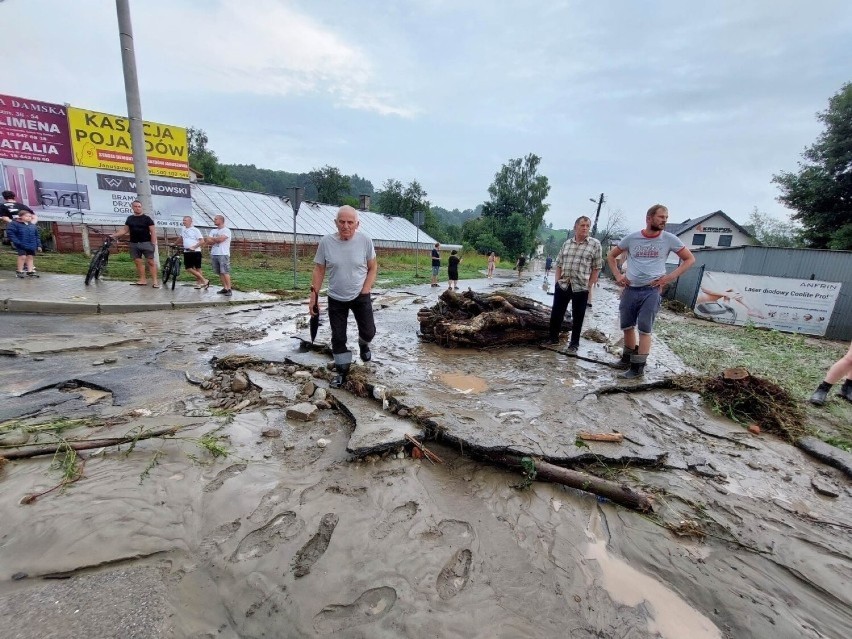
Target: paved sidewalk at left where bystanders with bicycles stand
68, 294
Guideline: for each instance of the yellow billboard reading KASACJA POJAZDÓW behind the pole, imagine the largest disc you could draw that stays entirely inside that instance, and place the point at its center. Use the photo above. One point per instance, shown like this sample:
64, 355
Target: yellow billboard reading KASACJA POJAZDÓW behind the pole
102, 141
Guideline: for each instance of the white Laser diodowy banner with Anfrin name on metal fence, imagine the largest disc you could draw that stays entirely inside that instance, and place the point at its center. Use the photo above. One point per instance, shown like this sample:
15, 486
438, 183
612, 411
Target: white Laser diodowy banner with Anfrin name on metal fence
795, 306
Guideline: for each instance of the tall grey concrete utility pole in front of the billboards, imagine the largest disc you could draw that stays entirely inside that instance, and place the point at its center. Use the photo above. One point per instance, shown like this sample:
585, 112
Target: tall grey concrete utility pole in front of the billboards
134, 111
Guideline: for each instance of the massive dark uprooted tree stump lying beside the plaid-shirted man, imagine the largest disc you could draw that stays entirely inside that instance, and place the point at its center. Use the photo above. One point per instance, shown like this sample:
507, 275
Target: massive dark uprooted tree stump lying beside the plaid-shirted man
485, 319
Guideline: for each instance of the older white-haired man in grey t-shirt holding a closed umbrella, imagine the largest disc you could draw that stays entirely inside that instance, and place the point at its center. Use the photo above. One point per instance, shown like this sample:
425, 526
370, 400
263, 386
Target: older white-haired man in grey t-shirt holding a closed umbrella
349, 258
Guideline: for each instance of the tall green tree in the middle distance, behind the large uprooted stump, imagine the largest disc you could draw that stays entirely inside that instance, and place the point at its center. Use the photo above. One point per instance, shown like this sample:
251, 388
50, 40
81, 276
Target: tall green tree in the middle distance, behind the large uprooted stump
517, 189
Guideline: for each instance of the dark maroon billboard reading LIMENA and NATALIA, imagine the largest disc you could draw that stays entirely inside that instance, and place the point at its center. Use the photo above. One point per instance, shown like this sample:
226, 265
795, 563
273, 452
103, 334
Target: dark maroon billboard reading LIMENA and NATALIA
34, 131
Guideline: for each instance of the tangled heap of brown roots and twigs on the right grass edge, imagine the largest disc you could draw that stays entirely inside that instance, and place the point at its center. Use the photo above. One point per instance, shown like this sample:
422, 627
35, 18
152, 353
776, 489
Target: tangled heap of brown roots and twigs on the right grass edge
745, 398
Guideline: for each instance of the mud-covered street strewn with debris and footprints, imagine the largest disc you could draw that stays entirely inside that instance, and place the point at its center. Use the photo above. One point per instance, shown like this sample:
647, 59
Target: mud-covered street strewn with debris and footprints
319, 521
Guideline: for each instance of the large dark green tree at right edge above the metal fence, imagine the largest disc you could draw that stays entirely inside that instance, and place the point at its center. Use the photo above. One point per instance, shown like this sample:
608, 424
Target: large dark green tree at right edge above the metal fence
821, 192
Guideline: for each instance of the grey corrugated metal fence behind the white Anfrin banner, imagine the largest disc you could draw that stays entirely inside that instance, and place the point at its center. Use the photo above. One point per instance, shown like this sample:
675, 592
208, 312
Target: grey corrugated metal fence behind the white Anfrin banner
801, 264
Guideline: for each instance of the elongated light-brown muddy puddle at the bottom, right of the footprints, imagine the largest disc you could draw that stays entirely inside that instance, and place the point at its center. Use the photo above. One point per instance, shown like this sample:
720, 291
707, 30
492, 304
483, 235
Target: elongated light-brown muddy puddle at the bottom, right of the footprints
670, 616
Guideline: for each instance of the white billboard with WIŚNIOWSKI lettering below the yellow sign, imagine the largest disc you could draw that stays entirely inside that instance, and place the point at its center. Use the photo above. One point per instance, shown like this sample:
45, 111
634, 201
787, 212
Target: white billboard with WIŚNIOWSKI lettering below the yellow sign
60, 193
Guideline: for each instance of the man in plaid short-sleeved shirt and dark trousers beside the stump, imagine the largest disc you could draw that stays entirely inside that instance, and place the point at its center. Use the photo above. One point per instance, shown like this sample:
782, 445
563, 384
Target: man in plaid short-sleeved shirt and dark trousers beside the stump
577, 267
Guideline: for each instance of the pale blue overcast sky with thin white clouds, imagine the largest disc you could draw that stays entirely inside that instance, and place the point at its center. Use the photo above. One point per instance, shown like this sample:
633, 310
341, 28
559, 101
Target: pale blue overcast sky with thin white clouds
692, 104
